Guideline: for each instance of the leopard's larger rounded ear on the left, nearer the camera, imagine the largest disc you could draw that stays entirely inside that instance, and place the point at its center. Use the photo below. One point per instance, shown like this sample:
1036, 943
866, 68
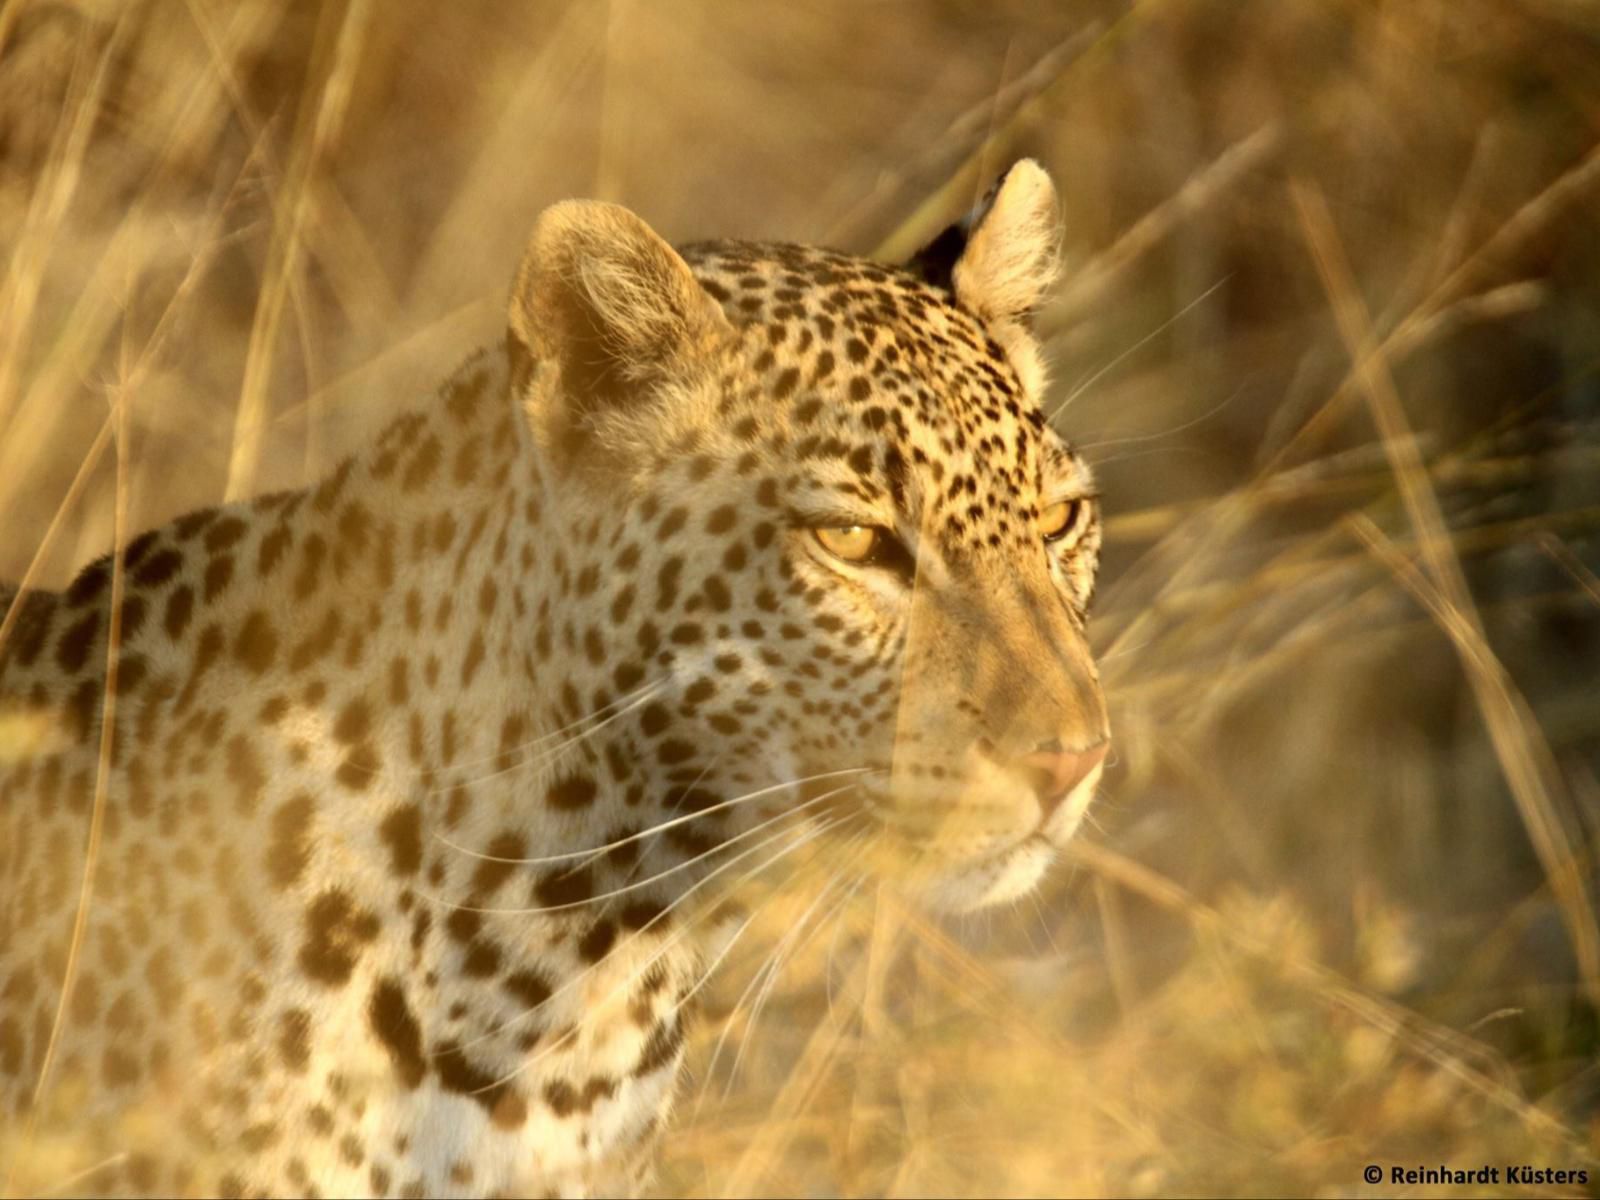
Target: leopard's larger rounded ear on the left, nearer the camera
620, 314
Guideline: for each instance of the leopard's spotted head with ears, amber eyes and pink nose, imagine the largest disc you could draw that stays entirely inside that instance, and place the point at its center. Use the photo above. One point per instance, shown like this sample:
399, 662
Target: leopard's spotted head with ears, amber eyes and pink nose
865, 558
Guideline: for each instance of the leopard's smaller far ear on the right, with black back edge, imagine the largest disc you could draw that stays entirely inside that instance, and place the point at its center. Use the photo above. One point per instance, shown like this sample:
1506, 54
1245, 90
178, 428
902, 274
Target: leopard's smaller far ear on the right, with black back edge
1002, 257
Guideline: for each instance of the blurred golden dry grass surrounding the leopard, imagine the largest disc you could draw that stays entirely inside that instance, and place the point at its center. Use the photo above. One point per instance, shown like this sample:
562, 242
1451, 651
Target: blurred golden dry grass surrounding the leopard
1330, 330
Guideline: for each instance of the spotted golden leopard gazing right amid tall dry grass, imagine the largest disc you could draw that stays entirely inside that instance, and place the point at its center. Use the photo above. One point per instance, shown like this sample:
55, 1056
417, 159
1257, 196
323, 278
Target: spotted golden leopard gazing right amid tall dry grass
367, 839
